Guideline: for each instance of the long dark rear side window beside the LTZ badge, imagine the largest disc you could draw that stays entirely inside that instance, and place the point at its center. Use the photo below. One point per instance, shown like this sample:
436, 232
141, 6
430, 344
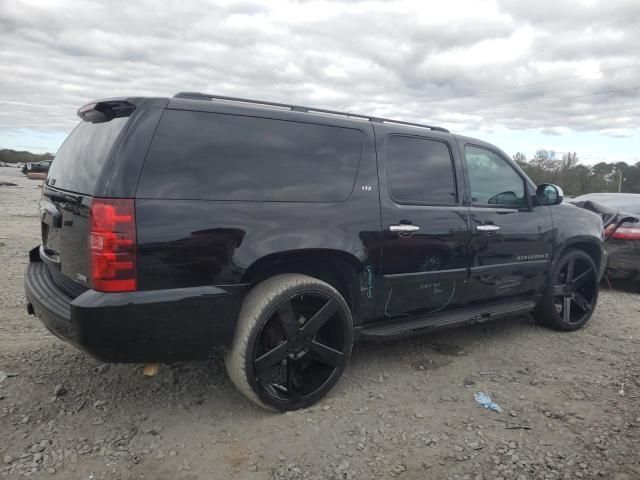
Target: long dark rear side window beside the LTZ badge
200, 155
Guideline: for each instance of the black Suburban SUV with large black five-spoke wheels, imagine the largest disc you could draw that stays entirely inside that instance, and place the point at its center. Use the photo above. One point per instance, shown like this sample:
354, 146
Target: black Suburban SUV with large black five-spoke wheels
172, 228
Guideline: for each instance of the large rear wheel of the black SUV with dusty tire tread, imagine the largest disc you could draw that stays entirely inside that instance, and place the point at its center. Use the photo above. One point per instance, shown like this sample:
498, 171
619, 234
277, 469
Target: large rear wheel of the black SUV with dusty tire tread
292, 341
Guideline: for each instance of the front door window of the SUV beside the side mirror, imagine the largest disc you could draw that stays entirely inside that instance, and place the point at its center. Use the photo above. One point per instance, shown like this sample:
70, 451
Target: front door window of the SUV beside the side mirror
492, 180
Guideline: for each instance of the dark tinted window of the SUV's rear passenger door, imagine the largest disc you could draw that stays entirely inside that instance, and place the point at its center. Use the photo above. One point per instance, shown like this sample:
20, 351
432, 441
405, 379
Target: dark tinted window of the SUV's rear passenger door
419, 171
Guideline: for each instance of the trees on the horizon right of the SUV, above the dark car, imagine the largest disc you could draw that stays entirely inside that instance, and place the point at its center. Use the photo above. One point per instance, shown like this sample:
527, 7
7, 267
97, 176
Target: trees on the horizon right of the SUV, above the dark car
577, 179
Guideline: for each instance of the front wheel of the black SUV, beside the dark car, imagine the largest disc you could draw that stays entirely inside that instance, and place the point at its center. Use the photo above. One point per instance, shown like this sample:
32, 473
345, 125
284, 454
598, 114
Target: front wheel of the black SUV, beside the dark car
572, 294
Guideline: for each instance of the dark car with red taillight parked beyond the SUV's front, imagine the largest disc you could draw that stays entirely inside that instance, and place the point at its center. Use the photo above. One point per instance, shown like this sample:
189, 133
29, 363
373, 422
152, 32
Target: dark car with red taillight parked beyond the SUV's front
620, 213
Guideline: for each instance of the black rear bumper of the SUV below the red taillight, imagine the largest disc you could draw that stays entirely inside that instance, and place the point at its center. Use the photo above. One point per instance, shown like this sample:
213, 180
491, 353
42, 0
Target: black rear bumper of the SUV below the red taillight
146, 326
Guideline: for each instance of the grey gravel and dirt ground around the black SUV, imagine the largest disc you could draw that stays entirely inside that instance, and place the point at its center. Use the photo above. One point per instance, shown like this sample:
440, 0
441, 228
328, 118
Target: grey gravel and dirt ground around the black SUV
403, 409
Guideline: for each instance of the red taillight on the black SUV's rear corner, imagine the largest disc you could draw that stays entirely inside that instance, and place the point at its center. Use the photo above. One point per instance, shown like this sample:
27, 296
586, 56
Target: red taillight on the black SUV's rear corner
112, 245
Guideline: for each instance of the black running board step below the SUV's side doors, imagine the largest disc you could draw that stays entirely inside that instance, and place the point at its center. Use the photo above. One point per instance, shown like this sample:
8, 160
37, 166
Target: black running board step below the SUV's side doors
390, 329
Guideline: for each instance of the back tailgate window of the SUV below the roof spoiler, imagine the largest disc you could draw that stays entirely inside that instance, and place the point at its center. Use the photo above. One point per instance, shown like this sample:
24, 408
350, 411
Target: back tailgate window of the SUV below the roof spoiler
79, 161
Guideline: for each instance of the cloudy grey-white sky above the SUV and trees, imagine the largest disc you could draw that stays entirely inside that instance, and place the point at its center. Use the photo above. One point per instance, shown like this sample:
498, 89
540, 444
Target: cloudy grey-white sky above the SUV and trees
558, 75
